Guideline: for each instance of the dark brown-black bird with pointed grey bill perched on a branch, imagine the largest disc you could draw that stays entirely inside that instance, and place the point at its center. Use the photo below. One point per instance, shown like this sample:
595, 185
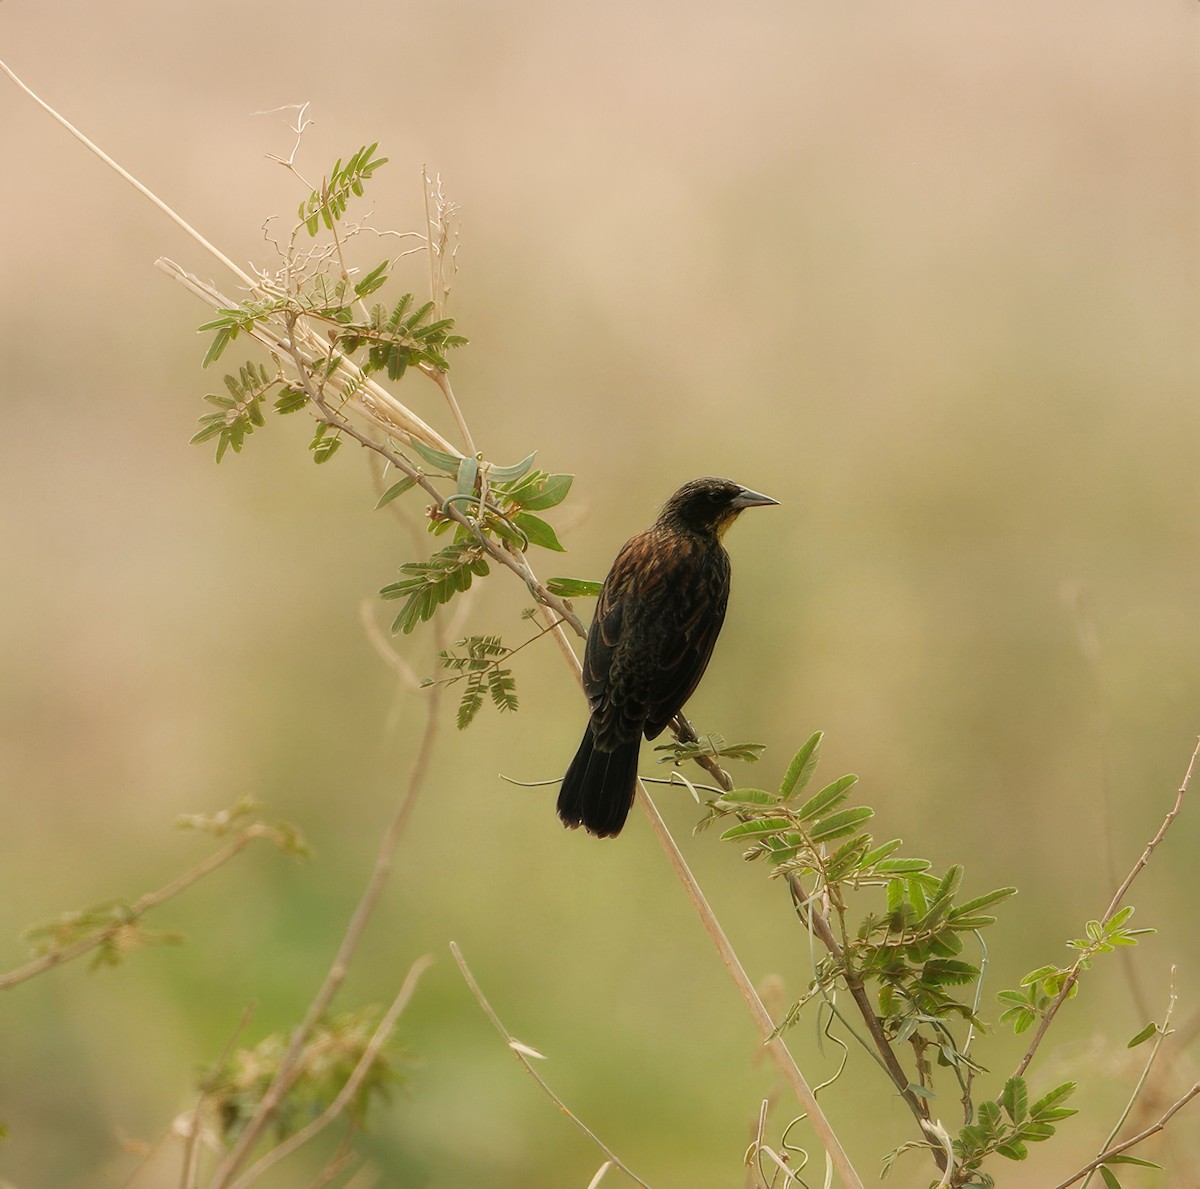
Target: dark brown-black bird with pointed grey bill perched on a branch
658, 617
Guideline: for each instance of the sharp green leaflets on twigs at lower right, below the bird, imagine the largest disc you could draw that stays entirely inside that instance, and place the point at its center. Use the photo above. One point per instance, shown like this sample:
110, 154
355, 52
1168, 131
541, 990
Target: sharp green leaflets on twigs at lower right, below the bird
908, 944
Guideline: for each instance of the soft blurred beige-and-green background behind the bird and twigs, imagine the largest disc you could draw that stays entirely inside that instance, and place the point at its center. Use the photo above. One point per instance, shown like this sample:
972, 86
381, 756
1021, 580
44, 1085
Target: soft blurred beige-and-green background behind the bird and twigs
928, 274
